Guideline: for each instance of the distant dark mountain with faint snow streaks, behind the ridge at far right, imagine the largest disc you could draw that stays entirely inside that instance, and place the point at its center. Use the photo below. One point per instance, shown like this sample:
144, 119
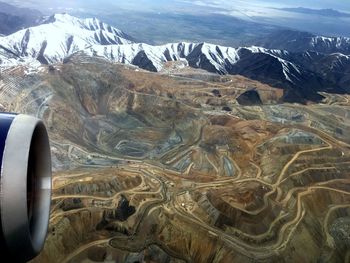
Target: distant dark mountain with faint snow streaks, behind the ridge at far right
297, 41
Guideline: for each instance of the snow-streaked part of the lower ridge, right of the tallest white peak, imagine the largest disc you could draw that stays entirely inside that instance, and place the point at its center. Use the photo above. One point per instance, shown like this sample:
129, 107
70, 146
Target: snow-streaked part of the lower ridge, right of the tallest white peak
213, 58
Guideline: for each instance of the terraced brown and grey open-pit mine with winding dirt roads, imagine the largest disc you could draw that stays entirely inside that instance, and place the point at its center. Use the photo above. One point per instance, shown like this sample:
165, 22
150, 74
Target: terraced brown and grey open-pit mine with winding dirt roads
186, 166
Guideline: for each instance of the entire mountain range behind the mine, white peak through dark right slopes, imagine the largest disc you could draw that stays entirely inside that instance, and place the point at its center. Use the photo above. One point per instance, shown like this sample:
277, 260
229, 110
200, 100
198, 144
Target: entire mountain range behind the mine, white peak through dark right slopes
61, 36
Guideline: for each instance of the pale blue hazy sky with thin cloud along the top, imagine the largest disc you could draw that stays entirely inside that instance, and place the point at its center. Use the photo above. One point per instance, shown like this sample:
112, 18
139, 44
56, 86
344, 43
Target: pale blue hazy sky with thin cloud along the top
258, 11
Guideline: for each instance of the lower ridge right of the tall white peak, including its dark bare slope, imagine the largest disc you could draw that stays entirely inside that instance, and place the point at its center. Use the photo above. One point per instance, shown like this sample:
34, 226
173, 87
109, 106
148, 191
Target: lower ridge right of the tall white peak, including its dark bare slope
274, 67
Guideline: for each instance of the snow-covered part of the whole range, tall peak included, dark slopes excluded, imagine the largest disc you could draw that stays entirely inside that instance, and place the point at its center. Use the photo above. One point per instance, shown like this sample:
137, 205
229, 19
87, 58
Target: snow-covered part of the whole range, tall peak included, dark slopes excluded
62, 35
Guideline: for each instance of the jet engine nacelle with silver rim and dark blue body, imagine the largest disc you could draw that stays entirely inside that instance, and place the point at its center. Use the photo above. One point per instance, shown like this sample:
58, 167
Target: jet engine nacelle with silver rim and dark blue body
25, 186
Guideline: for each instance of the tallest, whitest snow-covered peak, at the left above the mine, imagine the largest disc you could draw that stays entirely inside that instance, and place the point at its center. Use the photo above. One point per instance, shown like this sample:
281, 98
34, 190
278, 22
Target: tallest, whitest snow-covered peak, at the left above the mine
58, 37
